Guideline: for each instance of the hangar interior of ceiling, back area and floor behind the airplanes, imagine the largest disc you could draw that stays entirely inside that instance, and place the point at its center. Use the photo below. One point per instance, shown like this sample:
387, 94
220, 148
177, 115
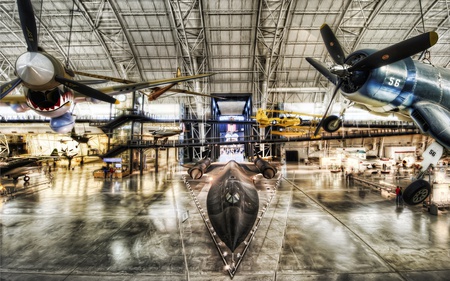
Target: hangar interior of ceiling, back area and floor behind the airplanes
147, 224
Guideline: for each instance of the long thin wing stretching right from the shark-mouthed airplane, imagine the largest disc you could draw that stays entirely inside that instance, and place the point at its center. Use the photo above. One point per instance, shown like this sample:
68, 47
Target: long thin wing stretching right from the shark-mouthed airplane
128, 88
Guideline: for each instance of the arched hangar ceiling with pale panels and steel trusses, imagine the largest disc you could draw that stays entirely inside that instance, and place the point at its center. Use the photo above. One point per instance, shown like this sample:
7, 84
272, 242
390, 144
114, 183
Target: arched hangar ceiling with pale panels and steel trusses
256, 47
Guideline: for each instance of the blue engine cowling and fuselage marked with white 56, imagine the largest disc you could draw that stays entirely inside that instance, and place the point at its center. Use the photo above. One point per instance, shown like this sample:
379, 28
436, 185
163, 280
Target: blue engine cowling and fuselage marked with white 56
399, 85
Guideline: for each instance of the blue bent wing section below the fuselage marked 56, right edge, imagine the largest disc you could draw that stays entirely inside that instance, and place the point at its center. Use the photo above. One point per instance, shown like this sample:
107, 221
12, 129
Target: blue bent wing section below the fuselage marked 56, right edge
433, 120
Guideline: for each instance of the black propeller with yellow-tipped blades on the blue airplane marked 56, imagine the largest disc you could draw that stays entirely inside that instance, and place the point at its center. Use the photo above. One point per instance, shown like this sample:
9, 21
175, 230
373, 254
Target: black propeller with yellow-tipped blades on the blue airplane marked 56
340, 72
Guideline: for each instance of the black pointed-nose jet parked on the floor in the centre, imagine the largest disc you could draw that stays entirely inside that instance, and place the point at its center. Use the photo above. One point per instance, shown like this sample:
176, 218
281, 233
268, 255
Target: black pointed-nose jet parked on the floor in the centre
232, 200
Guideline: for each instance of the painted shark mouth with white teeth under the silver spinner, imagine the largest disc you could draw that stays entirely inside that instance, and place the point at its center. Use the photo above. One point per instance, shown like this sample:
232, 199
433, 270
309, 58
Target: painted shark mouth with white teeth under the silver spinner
51, 103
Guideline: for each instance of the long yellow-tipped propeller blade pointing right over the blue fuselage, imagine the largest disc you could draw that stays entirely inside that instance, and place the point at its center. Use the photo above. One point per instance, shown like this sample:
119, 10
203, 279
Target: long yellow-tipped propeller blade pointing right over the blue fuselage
396, 52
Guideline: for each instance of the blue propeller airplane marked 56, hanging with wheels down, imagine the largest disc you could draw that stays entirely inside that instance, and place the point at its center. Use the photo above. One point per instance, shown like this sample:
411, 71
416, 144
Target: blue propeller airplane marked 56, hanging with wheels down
389, 81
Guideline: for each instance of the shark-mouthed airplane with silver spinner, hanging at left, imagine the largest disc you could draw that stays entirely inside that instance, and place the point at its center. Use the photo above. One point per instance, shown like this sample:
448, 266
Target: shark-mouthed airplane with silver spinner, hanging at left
49, 86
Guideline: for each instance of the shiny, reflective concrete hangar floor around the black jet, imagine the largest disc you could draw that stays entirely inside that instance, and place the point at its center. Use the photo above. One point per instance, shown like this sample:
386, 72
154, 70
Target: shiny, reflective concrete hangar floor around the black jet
148, 228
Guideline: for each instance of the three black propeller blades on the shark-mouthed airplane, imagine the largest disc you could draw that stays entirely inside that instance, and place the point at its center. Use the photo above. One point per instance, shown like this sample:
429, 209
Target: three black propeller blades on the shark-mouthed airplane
28, 24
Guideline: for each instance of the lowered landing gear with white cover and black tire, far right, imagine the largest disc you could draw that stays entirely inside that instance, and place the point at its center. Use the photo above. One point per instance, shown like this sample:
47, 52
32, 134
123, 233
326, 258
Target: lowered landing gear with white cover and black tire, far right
418, 190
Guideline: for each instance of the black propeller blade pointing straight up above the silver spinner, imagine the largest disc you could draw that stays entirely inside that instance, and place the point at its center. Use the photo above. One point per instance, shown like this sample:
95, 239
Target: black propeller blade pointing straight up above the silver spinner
28, 23
